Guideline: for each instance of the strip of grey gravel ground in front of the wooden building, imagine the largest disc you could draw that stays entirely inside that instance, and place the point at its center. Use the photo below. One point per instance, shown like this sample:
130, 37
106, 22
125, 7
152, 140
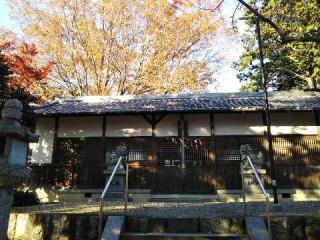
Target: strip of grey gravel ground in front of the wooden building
177, 210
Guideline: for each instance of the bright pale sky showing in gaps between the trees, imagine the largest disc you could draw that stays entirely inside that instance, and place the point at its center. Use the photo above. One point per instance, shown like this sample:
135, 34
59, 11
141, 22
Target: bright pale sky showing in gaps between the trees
226, 80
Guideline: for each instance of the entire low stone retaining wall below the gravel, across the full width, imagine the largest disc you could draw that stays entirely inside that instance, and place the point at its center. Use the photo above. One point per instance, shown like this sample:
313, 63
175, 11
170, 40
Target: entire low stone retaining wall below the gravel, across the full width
85, 227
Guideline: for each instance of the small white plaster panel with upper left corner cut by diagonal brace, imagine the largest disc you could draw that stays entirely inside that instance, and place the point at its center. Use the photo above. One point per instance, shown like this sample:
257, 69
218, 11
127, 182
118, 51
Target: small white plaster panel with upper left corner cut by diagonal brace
168, 126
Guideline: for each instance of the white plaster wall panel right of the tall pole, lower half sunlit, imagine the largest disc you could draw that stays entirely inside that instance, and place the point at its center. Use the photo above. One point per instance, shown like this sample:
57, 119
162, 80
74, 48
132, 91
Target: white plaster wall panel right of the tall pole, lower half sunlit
293, 123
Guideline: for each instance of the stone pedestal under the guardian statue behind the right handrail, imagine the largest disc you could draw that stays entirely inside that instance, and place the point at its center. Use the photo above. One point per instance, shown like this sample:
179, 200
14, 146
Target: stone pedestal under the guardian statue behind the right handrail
251, 185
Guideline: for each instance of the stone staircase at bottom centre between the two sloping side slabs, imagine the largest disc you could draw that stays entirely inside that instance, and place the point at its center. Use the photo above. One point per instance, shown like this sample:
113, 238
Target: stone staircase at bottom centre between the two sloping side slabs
139, 228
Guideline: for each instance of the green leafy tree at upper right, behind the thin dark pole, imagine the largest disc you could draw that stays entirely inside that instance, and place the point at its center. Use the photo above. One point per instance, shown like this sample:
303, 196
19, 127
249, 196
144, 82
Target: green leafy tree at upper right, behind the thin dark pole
294, 65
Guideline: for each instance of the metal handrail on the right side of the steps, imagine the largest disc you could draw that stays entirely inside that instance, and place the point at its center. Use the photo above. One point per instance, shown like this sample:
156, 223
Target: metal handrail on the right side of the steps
265, 193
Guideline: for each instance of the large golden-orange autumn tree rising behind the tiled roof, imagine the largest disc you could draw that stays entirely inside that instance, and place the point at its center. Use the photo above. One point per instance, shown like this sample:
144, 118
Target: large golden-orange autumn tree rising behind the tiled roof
122, 46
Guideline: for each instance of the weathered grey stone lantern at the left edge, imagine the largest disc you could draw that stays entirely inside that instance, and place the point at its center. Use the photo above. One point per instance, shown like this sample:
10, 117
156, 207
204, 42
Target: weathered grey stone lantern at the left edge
14, 139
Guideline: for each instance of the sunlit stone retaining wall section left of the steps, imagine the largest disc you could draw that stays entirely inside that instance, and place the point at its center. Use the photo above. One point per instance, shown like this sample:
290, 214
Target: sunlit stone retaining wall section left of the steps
52, 226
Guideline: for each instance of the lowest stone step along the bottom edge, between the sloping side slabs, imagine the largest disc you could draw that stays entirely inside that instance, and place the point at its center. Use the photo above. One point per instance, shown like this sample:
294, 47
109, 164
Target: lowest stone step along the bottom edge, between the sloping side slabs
179, 236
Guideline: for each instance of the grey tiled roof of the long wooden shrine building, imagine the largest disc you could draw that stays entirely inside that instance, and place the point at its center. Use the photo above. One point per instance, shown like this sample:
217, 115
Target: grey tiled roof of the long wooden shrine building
180, 103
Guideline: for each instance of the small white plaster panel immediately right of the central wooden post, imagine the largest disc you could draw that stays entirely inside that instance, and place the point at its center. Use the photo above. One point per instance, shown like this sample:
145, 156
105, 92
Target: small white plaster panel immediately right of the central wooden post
198, 124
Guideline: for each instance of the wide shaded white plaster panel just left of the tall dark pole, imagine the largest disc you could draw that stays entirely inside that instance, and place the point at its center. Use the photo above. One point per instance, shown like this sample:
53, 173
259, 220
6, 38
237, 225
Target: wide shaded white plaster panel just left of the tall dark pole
238, 124
